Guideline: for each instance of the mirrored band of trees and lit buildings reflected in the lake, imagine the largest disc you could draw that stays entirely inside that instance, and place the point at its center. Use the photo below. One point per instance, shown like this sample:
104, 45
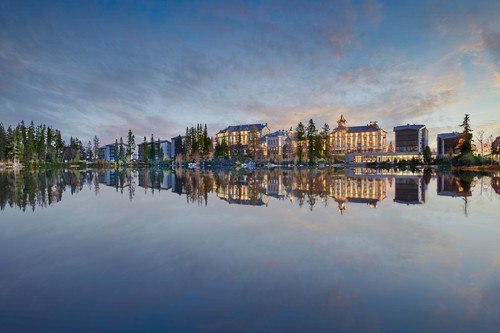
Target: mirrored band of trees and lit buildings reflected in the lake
258, 188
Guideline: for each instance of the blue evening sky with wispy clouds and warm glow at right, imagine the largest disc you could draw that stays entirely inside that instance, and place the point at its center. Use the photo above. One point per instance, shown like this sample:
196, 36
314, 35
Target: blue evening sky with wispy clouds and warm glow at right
104, 67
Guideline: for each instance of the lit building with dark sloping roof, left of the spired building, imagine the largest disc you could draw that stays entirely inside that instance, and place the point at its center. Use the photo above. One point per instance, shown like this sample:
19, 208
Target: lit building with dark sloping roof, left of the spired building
244, 140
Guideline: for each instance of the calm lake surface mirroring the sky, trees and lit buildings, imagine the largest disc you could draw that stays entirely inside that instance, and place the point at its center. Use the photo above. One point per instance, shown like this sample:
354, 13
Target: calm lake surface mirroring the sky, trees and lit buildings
267, 251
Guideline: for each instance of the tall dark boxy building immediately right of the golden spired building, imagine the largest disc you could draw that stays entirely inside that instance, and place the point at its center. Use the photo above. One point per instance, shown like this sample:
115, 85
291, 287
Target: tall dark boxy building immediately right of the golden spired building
411, 138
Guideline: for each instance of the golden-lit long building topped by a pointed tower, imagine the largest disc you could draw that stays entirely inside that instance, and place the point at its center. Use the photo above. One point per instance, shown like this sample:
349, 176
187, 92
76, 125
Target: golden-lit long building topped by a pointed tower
349, 139
